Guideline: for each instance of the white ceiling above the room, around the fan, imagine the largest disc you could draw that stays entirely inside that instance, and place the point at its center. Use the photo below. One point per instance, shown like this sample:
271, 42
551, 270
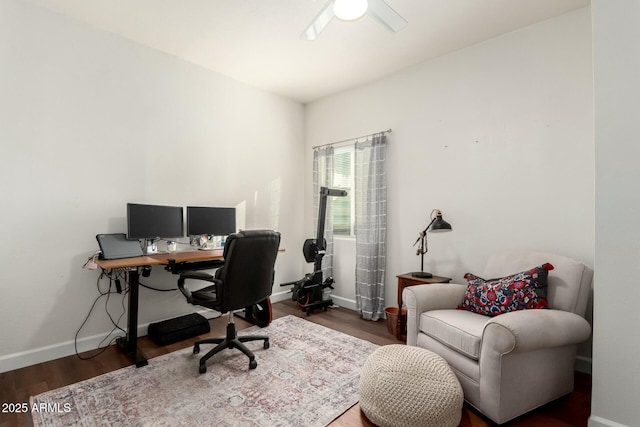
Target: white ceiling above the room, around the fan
258, 41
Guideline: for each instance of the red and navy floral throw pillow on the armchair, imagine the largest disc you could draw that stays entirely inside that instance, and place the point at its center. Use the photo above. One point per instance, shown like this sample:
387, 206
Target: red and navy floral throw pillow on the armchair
520, 291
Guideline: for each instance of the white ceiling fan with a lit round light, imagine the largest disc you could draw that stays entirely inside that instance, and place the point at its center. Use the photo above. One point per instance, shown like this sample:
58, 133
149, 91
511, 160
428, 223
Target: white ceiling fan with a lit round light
350, 10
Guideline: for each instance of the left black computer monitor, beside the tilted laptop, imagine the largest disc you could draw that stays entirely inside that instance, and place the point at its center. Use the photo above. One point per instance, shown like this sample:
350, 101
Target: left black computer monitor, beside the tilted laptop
154, 221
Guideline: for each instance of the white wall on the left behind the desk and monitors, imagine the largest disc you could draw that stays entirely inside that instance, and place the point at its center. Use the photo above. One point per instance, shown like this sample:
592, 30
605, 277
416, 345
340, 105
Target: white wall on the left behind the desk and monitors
90, 121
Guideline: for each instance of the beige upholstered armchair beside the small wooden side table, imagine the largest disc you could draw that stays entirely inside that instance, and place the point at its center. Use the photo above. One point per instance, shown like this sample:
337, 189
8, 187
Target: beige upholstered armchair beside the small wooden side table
514, 362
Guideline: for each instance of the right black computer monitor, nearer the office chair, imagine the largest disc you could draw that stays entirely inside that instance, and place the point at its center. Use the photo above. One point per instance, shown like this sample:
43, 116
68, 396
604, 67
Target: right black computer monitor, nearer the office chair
211, 221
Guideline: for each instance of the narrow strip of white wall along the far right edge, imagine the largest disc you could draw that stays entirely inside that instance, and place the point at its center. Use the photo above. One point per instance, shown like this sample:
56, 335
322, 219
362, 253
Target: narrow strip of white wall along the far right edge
616, 377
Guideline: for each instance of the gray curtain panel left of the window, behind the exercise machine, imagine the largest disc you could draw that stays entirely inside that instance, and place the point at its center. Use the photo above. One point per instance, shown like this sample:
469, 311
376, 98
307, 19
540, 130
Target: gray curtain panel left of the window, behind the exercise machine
323, 177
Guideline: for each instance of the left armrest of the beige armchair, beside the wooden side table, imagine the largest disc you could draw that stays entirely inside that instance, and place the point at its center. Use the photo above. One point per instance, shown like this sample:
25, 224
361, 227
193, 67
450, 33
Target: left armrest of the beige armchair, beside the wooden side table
421, 298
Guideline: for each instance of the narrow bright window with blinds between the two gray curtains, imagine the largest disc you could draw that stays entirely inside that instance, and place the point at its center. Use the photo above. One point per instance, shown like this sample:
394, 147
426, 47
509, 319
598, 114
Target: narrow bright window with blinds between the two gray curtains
343, 209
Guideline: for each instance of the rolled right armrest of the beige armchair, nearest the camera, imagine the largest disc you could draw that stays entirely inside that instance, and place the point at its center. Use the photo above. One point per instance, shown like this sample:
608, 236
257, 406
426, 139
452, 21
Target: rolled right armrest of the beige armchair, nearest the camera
528, 330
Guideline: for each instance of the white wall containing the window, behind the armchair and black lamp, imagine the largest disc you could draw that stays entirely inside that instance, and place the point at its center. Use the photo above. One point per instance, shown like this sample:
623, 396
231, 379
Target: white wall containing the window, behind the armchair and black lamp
499, 136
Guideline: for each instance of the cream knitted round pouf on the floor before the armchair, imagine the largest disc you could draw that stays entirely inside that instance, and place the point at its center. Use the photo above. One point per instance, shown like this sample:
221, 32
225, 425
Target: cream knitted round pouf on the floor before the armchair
409, 386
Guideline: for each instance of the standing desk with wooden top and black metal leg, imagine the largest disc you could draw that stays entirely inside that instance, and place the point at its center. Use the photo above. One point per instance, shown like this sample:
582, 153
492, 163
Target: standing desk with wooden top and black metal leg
130, 343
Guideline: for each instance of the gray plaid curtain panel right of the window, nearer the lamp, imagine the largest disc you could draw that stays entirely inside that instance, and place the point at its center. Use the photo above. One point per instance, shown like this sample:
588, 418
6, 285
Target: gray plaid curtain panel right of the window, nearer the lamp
371, 225
